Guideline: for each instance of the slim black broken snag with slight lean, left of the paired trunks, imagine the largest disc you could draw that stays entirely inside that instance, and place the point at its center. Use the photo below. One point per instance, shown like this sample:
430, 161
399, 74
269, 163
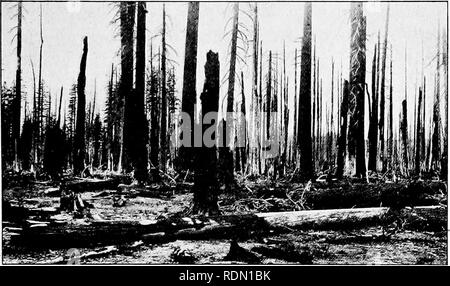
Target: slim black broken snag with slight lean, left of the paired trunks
79, 140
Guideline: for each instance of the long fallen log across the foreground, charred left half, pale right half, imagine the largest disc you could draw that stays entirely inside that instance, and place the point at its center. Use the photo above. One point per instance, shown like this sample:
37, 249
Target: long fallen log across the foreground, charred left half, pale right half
79, 233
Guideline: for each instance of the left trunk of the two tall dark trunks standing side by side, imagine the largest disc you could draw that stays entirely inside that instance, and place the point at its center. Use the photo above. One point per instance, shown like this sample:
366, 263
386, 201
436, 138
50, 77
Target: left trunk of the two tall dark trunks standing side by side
127, 17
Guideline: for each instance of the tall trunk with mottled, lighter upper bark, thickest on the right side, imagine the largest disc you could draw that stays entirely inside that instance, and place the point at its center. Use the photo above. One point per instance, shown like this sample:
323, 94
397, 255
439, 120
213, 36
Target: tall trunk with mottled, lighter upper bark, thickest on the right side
357, 87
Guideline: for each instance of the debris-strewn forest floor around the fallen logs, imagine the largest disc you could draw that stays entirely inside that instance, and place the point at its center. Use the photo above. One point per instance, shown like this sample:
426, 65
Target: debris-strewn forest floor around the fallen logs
370, 245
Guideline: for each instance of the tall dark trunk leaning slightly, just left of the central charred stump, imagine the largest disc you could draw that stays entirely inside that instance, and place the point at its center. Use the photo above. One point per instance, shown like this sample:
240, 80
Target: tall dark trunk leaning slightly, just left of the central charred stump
189, 80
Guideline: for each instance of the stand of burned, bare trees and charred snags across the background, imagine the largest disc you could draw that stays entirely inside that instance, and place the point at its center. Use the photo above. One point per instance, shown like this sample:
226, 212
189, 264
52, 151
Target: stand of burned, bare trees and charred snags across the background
132, 134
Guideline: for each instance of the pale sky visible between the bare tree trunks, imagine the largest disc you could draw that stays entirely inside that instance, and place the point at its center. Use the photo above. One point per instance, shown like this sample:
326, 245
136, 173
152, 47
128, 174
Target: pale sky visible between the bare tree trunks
412, 26
